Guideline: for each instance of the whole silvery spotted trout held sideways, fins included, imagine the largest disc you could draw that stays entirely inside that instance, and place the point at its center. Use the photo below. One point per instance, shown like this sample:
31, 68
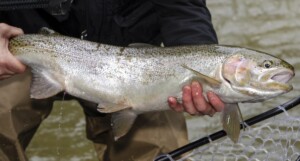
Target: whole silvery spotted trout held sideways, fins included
128, 81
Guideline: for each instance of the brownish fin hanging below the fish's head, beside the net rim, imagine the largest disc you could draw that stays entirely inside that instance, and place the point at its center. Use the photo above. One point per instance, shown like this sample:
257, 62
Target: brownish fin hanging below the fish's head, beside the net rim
231, 121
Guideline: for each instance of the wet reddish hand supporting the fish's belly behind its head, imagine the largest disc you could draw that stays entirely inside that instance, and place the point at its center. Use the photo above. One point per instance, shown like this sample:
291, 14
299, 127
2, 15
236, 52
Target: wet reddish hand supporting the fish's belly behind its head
194, 103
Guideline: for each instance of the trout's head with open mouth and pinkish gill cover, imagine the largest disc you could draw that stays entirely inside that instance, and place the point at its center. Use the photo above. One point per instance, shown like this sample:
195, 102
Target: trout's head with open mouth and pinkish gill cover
257, 76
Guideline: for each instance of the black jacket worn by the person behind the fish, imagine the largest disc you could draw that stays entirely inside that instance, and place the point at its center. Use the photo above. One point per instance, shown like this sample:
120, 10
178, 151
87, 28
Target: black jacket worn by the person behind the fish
174, 22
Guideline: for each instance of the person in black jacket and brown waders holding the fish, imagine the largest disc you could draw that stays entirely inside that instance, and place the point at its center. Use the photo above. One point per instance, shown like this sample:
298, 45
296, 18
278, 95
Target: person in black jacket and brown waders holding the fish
171, 22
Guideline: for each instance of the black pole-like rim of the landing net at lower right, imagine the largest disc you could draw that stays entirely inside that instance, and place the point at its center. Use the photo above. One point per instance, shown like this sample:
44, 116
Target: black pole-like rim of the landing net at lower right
205, 140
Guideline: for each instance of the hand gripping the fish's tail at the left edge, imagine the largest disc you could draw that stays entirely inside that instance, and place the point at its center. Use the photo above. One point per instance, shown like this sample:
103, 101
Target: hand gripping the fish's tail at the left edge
9, 65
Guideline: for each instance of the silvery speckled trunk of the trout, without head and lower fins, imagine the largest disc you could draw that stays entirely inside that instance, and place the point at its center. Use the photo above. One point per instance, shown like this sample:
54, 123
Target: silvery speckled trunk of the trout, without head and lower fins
131, 75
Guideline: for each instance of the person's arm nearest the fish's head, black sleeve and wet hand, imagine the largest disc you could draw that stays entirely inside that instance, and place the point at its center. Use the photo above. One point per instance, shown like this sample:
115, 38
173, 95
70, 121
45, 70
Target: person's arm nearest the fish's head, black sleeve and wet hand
189, 22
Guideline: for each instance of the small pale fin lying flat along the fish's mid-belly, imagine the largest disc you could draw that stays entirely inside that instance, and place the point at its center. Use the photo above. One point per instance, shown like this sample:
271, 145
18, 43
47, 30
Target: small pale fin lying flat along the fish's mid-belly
111, 107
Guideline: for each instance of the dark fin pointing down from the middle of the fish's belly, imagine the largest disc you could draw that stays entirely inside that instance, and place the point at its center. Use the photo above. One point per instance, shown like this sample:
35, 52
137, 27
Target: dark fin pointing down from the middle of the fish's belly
121, 122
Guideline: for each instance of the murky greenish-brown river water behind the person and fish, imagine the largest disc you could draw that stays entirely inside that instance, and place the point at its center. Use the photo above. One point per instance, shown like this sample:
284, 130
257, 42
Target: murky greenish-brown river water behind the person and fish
272, 26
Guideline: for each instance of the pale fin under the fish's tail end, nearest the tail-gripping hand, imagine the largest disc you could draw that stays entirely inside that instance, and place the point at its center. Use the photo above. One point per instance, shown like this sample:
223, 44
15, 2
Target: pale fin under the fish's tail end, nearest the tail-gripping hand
43, 86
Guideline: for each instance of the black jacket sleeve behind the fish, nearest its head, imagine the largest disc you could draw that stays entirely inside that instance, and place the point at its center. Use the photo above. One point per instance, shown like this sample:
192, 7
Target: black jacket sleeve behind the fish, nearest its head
185, 22
